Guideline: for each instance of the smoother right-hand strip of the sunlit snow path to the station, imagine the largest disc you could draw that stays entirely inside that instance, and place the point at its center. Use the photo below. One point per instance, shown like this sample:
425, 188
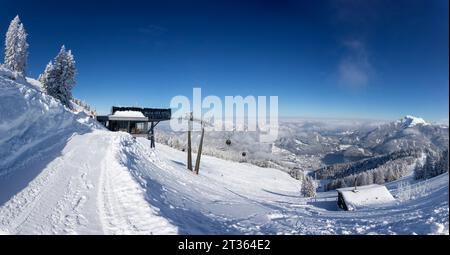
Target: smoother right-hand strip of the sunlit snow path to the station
124, 209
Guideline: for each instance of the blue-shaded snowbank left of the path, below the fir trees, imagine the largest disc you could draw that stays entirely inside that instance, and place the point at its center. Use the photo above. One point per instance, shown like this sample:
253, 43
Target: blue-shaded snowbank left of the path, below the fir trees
32, 122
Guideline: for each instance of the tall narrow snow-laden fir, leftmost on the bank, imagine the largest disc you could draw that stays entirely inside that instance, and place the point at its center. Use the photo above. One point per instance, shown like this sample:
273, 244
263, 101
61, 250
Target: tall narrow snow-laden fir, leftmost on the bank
16, 47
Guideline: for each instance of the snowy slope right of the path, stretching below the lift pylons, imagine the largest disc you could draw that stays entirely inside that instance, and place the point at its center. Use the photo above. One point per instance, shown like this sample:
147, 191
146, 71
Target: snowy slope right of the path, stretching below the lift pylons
236, 198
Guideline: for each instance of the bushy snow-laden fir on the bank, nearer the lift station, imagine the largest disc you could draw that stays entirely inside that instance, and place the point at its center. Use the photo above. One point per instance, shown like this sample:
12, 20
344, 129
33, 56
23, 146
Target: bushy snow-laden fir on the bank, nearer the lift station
58, 78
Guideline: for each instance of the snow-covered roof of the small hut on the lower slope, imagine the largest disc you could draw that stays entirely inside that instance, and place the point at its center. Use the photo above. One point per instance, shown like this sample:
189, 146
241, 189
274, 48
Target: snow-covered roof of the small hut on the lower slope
365, 196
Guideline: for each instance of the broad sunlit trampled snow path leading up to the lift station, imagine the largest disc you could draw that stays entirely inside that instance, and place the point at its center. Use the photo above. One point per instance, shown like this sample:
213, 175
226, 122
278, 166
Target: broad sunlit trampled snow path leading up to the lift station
84, 191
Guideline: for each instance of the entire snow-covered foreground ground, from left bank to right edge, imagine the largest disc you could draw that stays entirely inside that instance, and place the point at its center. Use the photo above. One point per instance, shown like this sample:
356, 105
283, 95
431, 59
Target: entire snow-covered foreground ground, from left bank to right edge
62, 173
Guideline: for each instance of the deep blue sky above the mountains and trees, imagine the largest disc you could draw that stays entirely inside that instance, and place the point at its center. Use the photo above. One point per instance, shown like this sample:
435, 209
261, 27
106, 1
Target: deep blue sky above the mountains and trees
340, 59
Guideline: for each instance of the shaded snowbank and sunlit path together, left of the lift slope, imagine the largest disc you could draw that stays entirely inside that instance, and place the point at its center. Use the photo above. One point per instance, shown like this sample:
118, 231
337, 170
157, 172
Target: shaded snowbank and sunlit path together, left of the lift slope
59, 171
